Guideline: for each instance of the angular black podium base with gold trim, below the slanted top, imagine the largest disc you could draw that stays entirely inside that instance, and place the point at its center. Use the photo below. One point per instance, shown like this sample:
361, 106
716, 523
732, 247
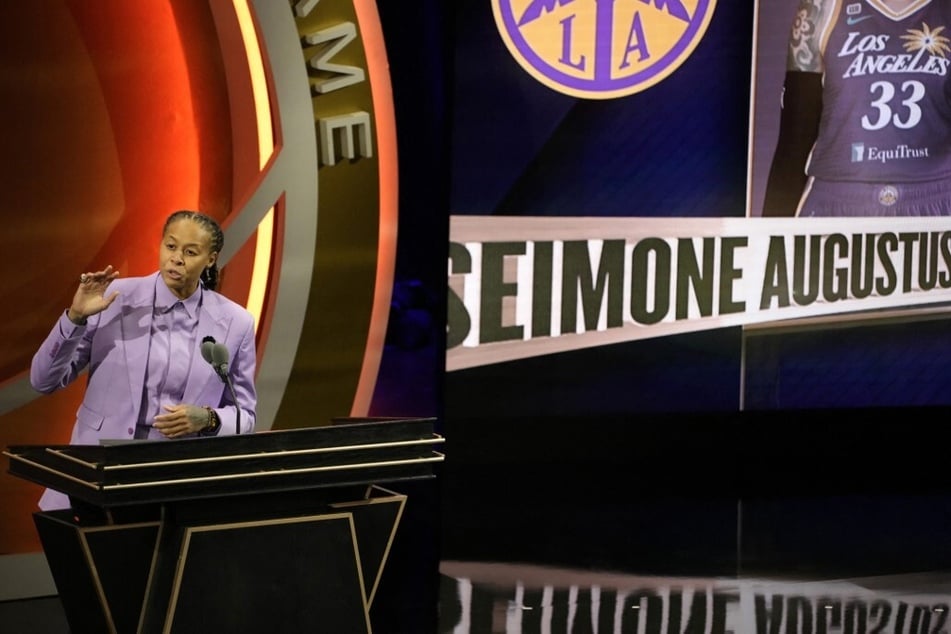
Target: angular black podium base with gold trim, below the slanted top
303, 563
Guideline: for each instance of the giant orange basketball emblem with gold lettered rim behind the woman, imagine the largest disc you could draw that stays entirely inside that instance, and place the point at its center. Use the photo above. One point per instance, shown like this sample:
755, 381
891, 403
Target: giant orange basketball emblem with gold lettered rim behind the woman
273, 116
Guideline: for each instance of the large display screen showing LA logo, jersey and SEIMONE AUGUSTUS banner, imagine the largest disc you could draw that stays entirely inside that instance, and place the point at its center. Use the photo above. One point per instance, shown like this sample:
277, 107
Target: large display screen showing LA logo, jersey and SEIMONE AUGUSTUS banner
617, 238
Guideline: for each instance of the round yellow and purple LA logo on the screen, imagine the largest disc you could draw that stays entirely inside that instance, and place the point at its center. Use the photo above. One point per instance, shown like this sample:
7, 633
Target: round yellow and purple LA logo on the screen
601, 49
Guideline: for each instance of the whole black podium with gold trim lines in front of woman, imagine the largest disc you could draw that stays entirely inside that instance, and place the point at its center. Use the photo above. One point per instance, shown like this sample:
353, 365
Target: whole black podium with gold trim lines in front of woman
278, 531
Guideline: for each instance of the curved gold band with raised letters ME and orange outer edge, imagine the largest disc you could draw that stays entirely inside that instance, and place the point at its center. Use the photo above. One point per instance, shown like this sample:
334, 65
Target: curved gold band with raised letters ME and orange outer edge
351, 148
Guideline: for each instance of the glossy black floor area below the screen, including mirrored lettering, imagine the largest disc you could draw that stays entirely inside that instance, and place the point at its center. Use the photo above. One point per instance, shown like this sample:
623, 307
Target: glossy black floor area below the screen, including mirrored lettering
706, 526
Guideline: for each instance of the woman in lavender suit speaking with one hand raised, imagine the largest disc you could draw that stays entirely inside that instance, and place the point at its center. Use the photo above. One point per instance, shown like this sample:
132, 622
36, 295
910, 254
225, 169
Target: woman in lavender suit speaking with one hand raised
141, 339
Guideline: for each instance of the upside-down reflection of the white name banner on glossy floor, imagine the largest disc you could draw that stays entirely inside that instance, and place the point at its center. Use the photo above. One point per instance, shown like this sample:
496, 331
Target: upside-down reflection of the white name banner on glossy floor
500, 598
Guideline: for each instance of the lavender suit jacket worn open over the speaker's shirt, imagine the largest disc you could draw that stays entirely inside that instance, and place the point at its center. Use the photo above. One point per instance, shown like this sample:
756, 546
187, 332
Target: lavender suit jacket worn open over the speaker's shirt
114, 345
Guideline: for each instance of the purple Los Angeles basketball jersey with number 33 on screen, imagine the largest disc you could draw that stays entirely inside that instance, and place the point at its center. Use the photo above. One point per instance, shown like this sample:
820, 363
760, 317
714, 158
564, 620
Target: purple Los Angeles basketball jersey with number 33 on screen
886, 115
